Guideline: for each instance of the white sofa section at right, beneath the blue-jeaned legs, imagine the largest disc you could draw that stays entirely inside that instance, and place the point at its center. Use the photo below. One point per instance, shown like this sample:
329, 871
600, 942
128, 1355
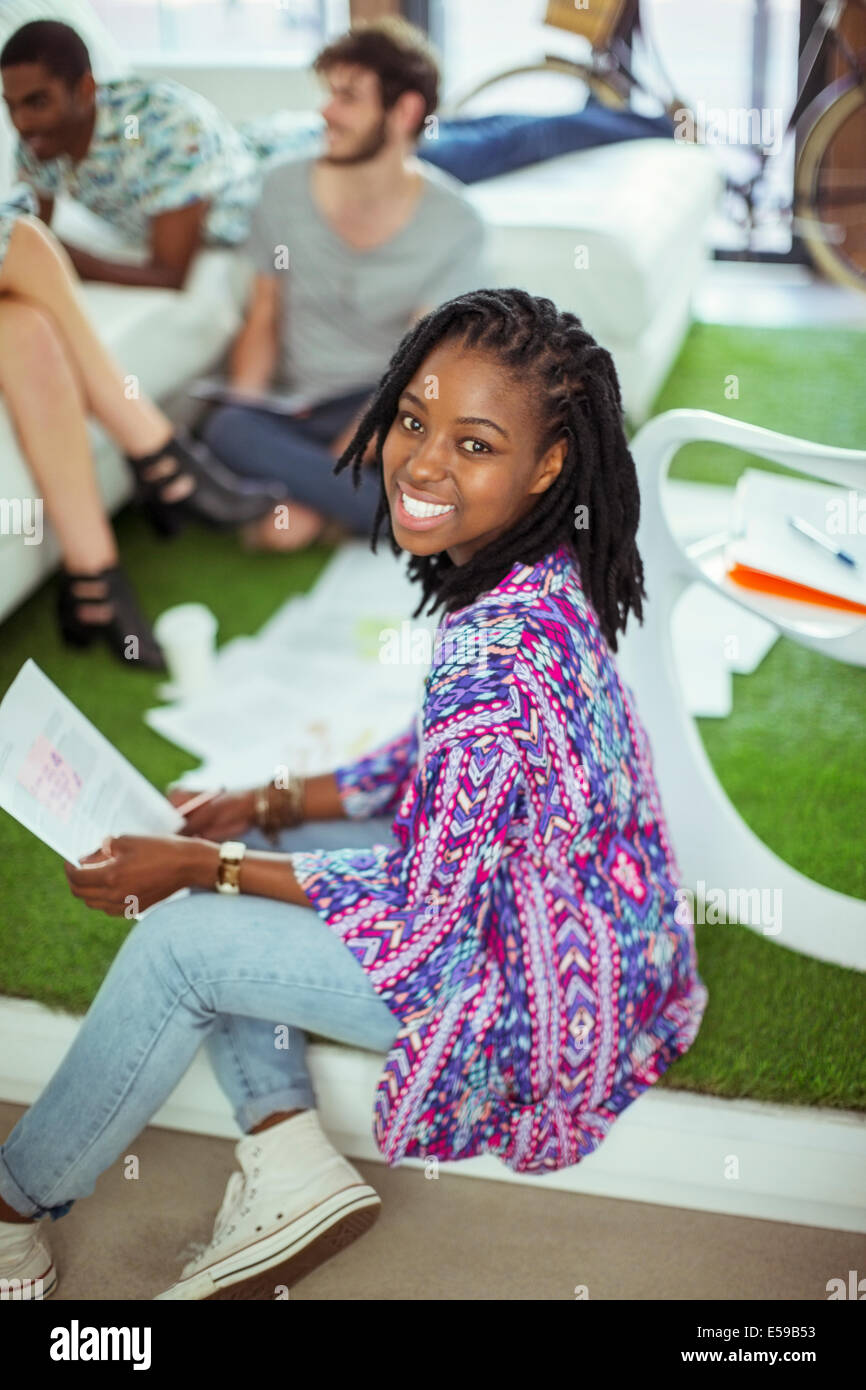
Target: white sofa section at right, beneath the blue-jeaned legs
601, 231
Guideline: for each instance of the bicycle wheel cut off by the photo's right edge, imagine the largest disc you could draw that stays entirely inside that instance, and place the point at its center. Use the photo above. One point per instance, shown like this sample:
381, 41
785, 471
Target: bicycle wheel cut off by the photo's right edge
831, 186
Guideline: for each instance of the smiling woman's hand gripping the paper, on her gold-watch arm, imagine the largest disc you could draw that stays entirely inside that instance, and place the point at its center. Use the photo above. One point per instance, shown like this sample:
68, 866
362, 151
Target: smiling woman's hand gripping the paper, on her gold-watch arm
133, 872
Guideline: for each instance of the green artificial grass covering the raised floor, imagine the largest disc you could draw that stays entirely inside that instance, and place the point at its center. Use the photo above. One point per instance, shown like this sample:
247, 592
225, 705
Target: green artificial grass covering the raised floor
779, 1027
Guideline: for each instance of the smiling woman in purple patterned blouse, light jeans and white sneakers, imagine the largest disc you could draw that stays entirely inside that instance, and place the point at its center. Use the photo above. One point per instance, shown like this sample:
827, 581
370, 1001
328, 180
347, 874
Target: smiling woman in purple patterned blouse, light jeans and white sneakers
514, 939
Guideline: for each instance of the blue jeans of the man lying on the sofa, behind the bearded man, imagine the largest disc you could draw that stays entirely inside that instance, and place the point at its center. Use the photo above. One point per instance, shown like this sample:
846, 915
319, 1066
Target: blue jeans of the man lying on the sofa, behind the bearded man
483, 147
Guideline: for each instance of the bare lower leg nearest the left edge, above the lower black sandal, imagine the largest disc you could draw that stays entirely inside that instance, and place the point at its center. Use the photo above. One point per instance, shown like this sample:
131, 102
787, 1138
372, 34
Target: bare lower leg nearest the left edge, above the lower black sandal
44, 398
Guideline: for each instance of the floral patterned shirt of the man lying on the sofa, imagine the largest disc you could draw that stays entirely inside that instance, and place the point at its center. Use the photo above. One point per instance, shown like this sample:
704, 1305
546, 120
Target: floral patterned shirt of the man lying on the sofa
159, 147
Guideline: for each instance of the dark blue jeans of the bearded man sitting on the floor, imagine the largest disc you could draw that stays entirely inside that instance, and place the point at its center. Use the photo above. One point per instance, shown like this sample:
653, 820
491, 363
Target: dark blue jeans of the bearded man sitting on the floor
297, 452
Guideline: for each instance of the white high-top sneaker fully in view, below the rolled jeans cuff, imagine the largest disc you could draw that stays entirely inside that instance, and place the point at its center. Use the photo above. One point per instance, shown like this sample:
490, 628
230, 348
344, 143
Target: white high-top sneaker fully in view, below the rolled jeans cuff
297, 1203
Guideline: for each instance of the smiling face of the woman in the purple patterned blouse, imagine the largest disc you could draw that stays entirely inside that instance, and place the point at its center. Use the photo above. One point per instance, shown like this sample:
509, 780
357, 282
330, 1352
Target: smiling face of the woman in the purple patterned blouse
459, 459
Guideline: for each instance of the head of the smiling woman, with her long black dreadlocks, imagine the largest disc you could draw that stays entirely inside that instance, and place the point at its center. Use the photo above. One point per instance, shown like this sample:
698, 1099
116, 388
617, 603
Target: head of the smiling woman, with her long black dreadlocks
505, 434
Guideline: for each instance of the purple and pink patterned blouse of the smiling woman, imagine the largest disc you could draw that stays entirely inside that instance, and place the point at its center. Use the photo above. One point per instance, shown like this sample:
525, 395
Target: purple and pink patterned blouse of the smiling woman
526, 929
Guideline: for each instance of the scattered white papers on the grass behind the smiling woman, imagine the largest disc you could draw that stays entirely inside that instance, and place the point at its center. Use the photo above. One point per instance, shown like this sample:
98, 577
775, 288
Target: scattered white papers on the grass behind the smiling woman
330, 676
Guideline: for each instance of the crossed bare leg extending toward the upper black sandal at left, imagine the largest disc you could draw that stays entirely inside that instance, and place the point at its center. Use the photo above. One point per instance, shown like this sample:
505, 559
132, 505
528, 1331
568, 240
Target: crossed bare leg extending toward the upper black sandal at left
38, 270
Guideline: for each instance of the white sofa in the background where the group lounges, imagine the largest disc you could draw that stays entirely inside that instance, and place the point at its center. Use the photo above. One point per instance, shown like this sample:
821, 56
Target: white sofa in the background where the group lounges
618, 236
